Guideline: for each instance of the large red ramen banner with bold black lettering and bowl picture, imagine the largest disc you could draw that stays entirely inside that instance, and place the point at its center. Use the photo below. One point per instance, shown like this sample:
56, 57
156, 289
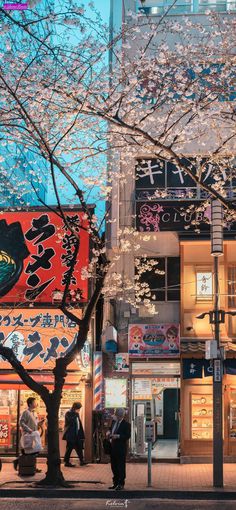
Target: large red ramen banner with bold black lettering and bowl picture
51, 246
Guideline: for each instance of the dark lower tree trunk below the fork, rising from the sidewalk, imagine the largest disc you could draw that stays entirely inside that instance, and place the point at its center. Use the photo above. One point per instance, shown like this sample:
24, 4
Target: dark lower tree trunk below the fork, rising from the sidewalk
54, 475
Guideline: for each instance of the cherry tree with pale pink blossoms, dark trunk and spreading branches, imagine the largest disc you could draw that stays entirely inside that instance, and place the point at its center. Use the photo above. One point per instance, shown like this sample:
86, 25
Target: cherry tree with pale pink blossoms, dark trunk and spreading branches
166, 91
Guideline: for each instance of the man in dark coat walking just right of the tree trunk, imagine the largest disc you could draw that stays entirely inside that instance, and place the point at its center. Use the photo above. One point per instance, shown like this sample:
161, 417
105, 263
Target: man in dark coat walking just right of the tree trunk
74, 435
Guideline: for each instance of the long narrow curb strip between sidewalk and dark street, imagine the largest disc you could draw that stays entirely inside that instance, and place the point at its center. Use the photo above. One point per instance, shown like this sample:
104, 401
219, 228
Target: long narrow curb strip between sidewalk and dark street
105, 494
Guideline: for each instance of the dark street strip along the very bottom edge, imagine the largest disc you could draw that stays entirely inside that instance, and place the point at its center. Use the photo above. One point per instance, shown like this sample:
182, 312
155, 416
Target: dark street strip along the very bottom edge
115, 504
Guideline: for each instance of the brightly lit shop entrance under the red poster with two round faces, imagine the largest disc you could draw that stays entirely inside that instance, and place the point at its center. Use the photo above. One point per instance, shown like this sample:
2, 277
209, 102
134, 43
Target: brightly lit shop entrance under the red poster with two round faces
156, 397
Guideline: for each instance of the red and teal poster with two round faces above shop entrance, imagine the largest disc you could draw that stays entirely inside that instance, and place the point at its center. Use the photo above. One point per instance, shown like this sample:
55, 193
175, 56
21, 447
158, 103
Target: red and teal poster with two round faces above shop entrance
156, 340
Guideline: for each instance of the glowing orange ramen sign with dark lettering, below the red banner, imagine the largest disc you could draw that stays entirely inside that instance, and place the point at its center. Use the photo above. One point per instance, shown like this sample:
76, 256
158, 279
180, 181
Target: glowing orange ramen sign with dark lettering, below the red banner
39, 336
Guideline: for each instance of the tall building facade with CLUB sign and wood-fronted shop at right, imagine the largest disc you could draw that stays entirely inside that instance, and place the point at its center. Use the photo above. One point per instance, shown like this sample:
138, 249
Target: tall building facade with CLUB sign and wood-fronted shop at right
154, 364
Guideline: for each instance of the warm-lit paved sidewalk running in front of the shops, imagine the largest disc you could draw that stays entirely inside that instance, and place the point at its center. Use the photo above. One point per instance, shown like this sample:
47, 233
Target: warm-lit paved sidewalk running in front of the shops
186, 477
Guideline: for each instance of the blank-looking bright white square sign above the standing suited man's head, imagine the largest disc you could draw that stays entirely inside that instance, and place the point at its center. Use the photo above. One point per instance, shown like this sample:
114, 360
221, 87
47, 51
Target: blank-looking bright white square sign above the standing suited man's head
115, 393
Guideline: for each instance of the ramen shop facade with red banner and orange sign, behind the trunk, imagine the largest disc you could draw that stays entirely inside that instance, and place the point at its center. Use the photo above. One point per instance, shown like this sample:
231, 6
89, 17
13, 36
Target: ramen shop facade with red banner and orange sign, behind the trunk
36, 249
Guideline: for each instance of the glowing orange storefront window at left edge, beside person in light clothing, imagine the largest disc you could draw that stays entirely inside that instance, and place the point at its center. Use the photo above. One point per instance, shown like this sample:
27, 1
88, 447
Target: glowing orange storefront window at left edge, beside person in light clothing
8, 420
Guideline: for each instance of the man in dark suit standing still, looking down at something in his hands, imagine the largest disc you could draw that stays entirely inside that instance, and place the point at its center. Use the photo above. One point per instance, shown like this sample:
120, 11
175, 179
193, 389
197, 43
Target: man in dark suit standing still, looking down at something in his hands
119, 434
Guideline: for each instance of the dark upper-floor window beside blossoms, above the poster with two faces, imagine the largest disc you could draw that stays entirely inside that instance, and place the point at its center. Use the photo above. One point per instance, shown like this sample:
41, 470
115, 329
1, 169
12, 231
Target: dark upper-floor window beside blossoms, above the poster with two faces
166, 286
